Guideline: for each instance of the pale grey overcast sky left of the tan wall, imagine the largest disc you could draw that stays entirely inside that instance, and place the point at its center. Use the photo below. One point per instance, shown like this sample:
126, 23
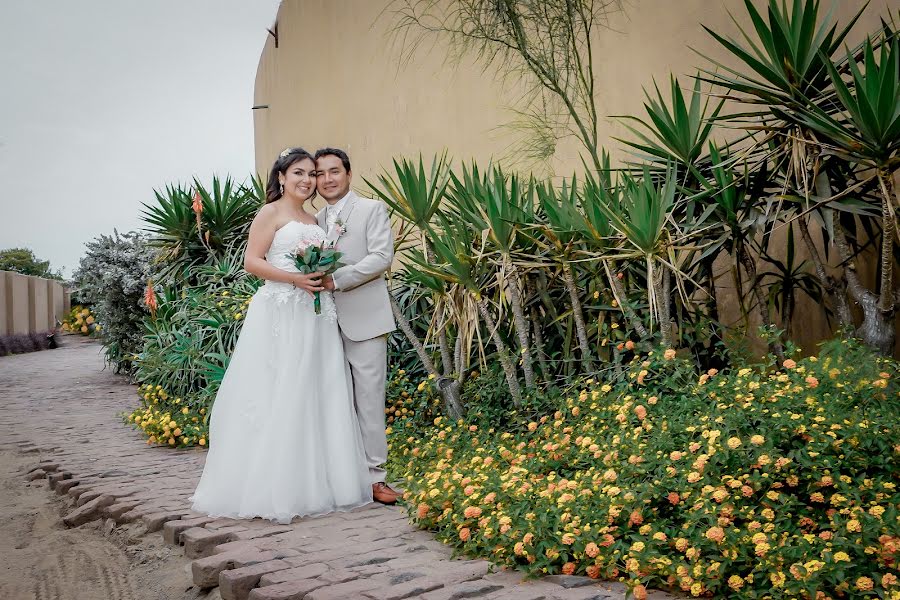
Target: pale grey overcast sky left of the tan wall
104, 100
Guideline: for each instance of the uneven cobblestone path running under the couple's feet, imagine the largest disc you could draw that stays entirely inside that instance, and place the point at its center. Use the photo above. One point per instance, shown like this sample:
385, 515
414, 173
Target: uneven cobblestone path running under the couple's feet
62, 407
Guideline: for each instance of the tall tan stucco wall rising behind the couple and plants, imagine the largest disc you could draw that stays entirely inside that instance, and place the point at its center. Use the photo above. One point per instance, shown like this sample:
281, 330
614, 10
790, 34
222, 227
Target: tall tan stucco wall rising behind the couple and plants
335, 79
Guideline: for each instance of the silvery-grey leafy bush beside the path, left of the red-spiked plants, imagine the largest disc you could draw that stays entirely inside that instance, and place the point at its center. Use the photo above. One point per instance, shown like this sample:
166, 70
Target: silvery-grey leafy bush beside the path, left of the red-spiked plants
112, 276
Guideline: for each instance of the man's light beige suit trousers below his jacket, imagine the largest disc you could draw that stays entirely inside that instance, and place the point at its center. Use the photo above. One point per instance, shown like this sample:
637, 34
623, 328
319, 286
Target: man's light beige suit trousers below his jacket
368, 370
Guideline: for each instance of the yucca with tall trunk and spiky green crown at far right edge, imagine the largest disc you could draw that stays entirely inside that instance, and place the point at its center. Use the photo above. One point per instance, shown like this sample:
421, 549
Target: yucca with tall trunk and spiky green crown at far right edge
867, 131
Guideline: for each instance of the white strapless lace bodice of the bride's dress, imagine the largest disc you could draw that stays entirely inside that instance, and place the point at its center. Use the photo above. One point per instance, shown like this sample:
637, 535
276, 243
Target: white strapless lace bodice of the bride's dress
286, 240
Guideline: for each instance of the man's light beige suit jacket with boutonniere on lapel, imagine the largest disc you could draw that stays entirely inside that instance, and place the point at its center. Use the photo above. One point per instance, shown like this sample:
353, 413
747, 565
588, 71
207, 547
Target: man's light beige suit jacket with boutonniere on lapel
367, 247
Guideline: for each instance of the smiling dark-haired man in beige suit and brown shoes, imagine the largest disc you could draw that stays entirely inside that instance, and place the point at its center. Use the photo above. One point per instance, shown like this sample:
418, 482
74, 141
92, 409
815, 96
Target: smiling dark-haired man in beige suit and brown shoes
361, 298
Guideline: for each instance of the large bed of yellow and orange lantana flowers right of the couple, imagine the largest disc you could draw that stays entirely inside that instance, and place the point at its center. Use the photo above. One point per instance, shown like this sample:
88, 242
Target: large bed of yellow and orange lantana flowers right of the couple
778, 483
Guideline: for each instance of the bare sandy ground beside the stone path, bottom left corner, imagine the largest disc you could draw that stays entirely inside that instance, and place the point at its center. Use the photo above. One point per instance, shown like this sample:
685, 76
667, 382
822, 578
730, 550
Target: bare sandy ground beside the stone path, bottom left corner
42, 559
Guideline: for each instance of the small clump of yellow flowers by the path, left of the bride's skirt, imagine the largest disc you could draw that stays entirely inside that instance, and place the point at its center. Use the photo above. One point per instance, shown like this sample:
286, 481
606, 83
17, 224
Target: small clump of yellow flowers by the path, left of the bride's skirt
169, 421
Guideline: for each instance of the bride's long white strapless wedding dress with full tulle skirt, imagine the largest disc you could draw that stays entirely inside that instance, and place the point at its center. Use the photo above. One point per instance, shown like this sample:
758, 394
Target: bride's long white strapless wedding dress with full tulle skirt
284, 437
